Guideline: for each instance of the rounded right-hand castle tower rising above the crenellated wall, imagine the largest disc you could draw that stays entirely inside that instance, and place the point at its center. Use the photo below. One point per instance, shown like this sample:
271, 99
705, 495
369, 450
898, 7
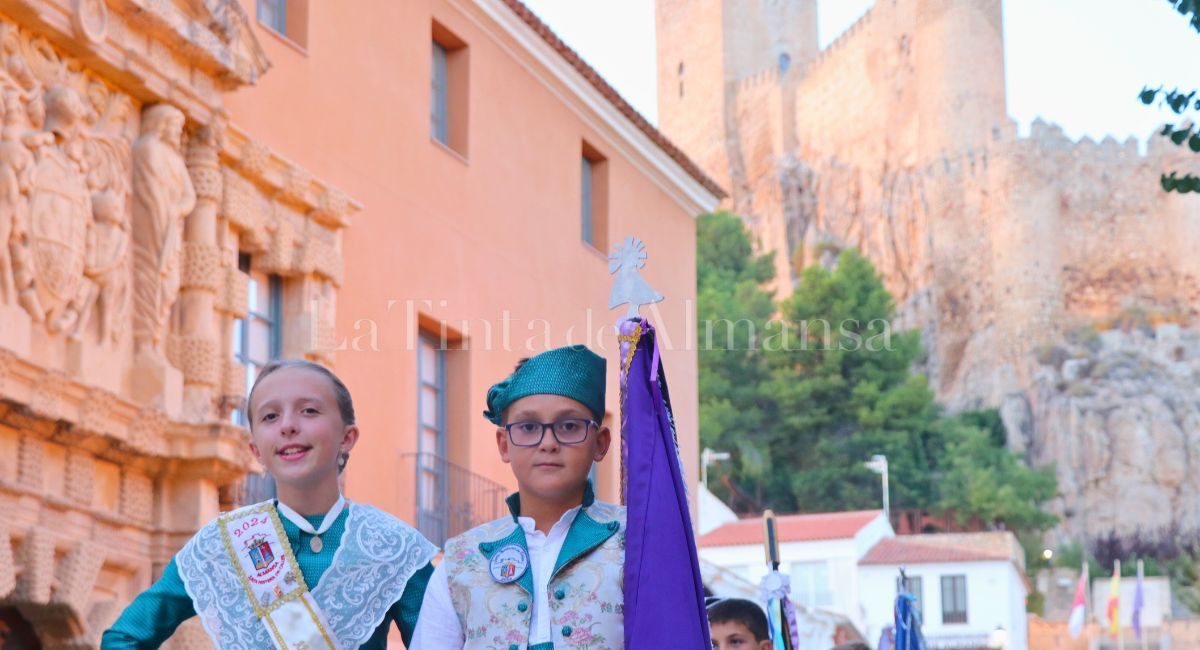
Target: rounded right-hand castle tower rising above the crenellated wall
961, 63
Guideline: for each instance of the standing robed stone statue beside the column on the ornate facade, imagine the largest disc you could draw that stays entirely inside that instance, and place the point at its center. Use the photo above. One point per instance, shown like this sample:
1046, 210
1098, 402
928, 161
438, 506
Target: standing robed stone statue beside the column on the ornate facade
163, 197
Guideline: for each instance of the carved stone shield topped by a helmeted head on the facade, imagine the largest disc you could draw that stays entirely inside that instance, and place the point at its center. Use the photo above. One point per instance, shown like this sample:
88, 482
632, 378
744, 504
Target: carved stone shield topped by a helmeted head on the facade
50, 250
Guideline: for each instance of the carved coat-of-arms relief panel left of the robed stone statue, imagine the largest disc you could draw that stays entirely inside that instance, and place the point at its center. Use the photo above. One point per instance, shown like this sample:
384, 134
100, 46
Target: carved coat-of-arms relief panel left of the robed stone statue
64, 184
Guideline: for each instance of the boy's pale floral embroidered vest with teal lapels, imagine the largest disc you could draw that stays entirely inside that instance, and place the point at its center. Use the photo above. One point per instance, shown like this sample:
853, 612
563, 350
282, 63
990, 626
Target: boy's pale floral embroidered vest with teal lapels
586, 589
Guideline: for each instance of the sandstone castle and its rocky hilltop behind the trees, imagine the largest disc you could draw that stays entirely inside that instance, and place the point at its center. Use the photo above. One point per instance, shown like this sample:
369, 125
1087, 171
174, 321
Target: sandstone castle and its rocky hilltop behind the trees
1015, 256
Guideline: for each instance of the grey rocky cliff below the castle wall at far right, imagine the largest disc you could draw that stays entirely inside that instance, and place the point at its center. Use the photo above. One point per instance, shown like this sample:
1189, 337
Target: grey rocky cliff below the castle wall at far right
1119, 412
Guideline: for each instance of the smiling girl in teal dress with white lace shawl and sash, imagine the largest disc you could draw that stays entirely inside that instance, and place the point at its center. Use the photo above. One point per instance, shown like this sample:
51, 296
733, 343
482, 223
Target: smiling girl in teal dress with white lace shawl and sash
307, 570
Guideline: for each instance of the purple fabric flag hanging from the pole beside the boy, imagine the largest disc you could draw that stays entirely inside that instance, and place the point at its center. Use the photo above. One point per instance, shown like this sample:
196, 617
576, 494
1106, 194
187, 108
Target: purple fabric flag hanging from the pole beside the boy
664, 592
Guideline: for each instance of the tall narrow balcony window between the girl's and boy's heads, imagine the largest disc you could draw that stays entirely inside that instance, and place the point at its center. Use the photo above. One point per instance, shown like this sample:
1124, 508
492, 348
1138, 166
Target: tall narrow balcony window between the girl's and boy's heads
431, 466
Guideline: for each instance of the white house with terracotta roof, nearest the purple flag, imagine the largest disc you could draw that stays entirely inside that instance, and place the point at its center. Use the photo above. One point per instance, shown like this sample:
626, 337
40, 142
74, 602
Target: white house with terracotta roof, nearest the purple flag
820, 552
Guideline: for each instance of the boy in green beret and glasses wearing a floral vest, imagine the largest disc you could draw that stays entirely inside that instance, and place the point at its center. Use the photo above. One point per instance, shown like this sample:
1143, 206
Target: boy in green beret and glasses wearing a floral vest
550, 575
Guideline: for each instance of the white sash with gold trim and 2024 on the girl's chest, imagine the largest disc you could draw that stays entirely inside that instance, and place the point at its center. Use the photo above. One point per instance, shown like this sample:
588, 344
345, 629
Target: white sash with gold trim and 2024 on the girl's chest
257, 547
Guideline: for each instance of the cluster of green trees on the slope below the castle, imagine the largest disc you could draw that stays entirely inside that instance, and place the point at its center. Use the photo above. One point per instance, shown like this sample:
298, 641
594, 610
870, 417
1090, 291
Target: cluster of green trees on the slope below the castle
802, 401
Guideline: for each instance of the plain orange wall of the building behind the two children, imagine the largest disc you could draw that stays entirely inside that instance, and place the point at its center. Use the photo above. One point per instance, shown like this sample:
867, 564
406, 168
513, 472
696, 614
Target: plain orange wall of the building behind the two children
476, 236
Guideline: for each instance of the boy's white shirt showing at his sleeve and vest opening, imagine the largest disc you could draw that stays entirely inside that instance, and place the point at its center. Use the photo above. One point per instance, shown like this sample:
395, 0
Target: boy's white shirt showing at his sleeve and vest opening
437, 625
